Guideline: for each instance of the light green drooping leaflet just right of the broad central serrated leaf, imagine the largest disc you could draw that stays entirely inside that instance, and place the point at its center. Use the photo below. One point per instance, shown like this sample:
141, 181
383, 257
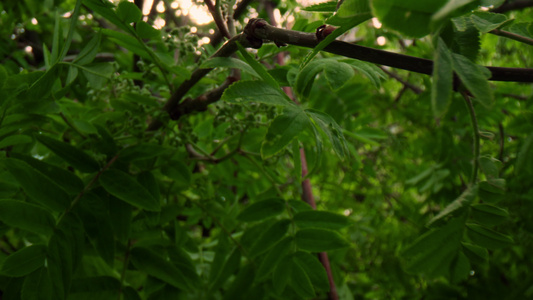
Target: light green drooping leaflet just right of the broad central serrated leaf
332, 130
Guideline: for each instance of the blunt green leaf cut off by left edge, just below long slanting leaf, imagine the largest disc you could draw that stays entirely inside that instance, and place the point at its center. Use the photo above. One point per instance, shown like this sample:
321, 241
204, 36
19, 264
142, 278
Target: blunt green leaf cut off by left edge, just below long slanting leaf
26, 216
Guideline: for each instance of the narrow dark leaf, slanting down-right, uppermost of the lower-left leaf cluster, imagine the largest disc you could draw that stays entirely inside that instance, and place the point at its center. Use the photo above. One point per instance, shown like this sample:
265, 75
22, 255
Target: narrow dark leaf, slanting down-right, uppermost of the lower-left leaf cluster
70, 154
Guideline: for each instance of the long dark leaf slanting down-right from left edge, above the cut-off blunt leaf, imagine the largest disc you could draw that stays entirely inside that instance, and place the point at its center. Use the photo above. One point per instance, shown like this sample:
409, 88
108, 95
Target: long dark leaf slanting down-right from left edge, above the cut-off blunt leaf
36, 185
